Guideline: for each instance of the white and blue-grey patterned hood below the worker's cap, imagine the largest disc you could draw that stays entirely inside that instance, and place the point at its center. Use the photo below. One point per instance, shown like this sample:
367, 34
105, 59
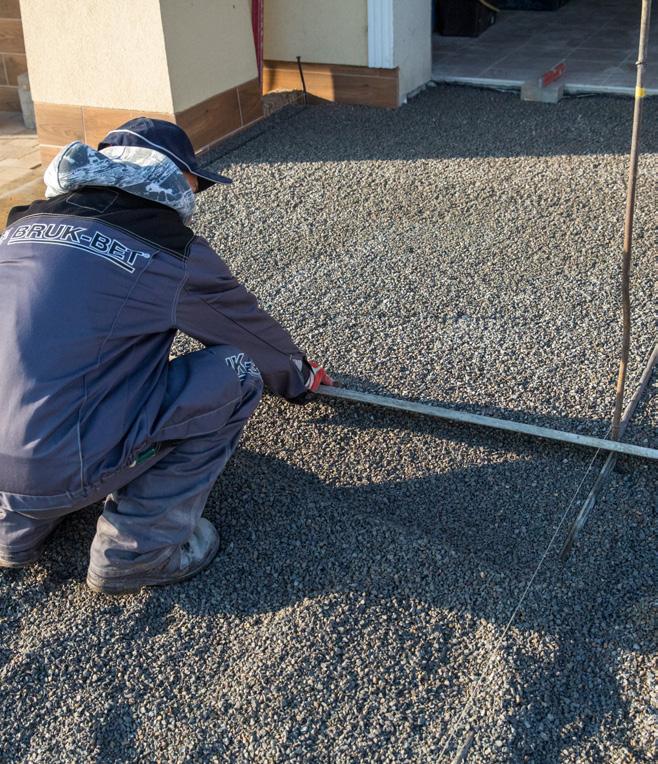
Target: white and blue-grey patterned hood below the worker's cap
134, 169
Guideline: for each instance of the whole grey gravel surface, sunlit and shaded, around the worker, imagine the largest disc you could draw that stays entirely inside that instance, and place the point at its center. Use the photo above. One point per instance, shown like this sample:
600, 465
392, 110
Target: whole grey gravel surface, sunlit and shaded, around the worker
462, 250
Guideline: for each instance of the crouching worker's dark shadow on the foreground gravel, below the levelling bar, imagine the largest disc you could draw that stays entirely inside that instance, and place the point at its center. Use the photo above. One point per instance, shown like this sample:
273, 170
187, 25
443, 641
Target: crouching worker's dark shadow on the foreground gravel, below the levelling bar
466, 540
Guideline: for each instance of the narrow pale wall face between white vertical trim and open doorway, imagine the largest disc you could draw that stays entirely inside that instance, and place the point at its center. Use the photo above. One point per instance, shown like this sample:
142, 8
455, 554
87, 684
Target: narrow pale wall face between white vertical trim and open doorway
412, 43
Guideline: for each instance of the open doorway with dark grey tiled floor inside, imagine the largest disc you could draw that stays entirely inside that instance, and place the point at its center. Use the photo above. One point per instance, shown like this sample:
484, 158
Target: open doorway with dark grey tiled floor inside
596, 39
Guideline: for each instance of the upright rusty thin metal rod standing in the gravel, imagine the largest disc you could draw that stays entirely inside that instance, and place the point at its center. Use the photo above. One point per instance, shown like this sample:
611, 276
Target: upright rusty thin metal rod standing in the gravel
628, 222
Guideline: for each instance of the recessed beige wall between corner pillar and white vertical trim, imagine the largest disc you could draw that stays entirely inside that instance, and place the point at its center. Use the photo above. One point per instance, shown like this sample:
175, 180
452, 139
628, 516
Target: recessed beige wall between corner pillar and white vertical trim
320, 31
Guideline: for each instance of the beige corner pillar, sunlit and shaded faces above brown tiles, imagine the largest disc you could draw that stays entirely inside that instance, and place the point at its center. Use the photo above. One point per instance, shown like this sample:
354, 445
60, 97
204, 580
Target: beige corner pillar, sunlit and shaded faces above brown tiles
153, 55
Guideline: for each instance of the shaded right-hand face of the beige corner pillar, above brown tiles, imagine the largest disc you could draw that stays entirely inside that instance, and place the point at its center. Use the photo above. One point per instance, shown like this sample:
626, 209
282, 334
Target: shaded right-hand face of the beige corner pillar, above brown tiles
209, 46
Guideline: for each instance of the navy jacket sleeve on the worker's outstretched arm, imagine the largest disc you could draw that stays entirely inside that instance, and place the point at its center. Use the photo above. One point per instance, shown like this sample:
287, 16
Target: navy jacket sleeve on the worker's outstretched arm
214, 308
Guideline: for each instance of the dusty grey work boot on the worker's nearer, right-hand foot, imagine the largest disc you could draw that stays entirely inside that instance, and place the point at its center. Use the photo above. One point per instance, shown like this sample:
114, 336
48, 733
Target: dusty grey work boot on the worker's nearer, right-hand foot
186, 561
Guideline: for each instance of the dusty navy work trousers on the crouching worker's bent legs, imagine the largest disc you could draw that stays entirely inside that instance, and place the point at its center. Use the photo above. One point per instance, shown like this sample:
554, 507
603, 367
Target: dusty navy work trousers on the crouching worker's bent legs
153, 505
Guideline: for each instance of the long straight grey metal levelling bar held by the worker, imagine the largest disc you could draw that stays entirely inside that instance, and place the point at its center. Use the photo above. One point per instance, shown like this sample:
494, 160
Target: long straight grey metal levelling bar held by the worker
488, 421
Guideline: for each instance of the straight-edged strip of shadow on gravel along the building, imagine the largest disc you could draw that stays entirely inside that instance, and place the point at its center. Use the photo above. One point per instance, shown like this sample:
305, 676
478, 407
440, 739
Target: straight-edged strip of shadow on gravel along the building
438, 123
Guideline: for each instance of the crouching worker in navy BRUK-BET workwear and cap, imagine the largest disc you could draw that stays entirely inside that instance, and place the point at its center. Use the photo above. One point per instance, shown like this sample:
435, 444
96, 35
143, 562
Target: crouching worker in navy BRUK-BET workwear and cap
96, 280
